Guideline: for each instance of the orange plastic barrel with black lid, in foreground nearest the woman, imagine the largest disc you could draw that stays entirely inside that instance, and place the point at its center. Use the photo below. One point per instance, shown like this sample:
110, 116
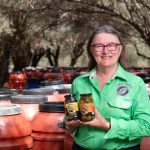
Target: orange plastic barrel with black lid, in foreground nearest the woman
46, 130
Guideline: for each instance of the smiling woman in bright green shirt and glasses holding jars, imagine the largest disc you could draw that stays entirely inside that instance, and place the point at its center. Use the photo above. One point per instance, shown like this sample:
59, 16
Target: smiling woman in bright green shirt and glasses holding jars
122, 106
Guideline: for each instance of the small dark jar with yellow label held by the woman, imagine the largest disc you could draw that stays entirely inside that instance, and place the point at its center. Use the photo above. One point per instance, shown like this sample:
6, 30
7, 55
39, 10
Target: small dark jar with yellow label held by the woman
71, 107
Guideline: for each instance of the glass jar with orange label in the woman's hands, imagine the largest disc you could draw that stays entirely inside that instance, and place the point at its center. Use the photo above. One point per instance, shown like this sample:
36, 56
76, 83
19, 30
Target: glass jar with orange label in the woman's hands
86, 108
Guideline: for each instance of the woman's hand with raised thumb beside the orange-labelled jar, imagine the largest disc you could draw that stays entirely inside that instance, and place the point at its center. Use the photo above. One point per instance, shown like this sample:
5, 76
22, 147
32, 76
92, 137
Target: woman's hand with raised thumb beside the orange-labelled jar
98, 122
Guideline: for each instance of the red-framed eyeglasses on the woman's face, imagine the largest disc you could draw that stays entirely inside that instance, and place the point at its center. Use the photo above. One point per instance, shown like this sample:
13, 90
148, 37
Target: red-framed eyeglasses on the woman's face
112, 47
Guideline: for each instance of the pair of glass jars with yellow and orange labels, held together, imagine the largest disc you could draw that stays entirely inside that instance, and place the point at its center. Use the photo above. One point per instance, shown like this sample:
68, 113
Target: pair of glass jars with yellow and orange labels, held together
84, 110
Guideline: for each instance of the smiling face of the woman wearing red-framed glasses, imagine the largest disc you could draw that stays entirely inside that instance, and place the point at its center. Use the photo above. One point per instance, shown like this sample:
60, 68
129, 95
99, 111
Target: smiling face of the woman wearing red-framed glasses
106, 49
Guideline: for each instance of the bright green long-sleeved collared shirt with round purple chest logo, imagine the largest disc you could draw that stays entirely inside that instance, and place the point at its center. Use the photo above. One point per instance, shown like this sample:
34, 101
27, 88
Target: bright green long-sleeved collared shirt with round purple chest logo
123, 101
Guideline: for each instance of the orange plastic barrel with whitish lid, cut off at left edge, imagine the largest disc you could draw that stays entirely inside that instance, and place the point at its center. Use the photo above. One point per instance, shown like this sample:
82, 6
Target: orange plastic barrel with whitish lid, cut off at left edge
15, 129
